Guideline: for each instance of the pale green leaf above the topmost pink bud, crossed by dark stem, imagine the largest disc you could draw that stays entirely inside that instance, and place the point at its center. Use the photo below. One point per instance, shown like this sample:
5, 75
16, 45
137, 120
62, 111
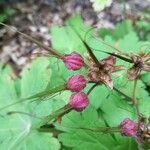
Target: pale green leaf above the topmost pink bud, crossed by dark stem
65, 39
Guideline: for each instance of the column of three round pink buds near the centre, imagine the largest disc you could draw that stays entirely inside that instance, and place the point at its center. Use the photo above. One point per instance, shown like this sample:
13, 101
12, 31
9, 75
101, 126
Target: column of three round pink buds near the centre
76, 83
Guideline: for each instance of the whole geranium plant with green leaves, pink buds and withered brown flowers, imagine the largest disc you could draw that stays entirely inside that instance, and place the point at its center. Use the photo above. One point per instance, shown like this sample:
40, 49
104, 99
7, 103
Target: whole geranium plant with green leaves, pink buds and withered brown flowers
95, 97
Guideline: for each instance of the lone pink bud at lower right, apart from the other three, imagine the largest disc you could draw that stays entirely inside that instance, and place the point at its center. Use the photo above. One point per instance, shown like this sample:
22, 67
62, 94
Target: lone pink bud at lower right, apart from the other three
129, 127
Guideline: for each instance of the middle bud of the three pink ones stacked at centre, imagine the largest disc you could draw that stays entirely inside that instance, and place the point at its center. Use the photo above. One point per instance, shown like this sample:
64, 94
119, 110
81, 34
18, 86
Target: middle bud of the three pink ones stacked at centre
76, 83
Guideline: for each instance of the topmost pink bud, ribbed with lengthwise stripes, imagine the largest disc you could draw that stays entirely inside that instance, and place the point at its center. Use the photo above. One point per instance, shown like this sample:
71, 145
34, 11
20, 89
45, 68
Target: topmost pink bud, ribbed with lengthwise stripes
73, 61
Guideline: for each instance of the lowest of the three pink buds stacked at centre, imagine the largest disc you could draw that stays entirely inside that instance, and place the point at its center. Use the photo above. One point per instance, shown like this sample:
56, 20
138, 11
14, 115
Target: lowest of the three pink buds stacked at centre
79, 101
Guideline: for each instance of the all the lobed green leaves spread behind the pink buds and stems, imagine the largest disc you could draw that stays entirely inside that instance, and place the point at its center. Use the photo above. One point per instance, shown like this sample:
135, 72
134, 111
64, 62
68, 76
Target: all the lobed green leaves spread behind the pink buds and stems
20, 128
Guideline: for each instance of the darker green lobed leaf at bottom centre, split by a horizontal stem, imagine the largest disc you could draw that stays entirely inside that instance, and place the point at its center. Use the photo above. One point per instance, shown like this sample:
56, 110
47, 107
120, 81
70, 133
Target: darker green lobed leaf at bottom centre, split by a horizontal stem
81, 139
